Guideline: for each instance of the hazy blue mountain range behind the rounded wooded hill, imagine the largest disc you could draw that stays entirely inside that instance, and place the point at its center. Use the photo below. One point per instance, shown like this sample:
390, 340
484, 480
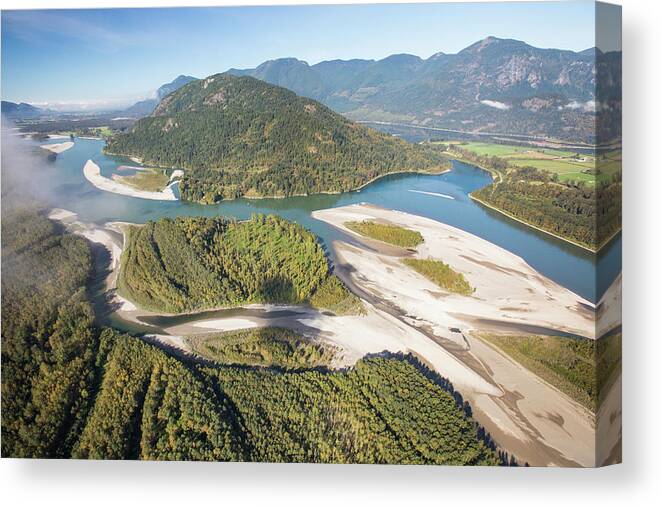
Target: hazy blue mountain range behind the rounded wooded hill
495, 85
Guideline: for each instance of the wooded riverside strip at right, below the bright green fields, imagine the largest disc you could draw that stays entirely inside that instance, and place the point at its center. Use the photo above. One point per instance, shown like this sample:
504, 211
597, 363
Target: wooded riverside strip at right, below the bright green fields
585, 214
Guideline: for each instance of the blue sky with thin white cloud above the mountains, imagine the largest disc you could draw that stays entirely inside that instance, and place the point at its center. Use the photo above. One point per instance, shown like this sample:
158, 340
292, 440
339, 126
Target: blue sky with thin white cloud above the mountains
102, 58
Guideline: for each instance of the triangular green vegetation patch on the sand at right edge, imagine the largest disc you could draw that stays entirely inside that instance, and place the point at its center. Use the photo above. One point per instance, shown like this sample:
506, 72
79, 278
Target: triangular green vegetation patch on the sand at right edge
581, 368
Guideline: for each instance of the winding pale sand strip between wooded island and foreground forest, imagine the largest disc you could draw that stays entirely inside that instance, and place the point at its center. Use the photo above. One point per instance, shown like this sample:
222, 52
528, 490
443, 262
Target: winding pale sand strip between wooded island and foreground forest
354, 335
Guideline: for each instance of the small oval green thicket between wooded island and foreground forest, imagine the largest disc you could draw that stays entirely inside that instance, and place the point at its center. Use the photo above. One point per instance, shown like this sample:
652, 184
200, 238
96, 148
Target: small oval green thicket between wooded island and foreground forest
277, 347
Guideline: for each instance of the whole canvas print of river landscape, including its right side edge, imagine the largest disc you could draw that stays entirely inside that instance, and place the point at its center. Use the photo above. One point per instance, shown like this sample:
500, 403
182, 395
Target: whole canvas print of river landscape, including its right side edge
383, 234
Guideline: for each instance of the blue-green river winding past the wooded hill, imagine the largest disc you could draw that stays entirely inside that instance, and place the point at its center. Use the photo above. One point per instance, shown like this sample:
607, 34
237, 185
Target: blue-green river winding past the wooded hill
564, 263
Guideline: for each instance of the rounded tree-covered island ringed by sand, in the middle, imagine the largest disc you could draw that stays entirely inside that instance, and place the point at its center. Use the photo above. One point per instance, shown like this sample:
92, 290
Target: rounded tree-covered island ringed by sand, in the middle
192, 263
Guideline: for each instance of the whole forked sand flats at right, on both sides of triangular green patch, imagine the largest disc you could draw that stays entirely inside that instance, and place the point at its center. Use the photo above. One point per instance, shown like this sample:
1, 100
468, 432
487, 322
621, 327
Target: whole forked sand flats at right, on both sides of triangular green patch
530, 418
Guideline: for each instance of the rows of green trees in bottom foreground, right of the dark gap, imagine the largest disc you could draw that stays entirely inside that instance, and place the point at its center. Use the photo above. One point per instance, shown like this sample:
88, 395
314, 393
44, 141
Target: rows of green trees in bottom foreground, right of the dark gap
151, 406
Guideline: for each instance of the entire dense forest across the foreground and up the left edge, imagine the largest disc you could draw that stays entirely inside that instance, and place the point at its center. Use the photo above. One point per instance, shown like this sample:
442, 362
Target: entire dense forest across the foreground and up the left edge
70, 389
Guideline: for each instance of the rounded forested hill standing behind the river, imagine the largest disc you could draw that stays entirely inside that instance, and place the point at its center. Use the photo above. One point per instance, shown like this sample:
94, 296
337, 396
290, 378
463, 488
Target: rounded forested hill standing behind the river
239, 136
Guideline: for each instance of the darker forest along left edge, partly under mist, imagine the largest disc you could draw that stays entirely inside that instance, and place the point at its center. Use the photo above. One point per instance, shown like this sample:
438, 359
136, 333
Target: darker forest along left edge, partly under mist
48, 343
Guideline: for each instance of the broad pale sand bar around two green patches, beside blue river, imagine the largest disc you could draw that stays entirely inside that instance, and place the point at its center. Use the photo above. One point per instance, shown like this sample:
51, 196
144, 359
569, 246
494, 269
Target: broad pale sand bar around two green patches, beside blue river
507, 289
